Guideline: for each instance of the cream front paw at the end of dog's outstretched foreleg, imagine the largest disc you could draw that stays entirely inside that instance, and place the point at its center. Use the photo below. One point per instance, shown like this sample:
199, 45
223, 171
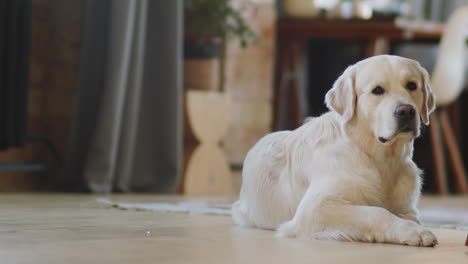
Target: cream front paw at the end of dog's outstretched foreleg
415, 235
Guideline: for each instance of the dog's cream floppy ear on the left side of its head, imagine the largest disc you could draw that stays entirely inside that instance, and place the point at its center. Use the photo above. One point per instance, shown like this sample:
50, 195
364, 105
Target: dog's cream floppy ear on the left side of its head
342, 97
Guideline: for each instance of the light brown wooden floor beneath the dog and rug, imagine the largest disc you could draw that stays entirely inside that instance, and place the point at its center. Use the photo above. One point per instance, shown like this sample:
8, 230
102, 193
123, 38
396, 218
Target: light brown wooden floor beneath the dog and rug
66, 229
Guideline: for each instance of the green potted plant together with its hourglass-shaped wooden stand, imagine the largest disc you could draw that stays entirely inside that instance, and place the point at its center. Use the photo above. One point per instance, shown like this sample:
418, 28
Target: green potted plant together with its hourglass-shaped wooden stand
207, 109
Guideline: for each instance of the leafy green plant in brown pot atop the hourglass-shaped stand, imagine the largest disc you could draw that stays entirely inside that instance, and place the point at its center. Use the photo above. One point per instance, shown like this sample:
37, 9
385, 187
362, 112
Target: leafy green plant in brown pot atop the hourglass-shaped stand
207, 24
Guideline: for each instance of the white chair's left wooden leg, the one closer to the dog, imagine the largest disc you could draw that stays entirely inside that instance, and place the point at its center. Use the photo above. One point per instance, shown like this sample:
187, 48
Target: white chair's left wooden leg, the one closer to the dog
438, 154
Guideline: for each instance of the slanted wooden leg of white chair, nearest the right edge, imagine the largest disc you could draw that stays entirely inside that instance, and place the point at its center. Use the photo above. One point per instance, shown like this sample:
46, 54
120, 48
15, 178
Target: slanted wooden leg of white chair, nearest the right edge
454, 151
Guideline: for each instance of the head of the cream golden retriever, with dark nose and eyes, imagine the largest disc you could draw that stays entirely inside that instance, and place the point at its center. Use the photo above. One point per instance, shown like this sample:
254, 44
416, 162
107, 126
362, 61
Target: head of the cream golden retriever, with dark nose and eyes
390, 94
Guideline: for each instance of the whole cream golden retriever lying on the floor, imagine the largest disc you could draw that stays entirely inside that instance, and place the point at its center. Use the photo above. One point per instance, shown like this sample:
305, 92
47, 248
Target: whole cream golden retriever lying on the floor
348, 174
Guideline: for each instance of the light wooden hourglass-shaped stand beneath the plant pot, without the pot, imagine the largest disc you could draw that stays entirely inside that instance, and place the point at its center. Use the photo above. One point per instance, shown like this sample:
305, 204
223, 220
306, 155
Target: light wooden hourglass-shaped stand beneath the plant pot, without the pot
207, 170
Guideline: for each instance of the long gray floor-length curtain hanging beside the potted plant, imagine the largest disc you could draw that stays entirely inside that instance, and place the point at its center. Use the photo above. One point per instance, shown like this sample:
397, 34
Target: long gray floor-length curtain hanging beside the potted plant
130, 138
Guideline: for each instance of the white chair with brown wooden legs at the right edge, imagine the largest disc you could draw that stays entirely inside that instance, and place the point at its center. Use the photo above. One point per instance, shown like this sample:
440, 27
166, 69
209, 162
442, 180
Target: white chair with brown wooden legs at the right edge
447, 84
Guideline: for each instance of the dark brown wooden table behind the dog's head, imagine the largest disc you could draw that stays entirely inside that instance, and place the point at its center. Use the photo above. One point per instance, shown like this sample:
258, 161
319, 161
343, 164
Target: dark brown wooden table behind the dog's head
292, 32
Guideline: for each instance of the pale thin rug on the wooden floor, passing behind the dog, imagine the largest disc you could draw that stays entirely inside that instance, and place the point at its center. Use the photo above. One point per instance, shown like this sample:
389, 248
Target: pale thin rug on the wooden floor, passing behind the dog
443, 217
